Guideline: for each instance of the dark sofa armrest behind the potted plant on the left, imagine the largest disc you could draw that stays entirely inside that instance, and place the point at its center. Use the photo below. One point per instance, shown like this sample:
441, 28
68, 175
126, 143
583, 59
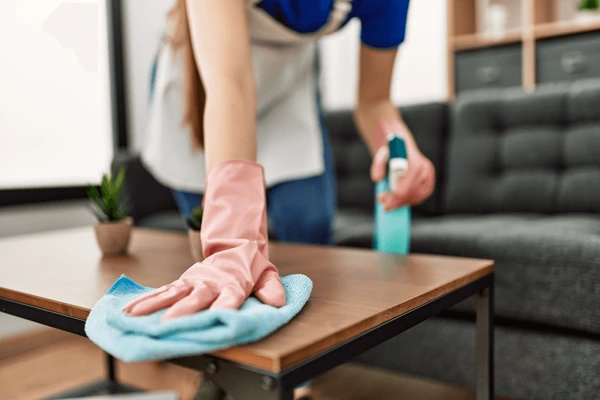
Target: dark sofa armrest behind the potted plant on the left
145, 196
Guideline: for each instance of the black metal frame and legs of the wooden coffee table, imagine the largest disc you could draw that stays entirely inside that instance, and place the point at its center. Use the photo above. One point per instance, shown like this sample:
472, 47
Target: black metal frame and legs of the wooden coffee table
244, 382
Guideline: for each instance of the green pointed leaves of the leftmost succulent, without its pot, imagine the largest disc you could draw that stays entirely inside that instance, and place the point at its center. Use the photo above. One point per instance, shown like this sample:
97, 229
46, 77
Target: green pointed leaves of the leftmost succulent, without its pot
106, 201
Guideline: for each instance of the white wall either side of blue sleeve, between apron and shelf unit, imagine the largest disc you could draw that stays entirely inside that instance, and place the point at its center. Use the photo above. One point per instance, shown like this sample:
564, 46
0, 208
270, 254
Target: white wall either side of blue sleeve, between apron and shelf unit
420, 72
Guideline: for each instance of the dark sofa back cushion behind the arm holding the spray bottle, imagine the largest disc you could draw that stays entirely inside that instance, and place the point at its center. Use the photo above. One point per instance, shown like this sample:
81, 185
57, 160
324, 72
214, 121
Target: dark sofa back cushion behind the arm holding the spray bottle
428, 123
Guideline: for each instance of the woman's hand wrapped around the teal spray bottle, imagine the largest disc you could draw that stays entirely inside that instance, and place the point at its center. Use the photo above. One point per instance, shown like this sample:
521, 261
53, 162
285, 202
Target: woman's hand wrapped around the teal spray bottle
414, 187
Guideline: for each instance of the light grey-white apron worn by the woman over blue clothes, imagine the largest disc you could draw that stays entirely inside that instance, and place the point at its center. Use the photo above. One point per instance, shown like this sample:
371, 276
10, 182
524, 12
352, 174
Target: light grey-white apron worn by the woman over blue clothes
288, 130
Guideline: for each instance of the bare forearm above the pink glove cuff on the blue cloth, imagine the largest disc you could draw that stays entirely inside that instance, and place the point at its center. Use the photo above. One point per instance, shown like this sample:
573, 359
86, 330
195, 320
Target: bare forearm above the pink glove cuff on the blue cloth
221, 43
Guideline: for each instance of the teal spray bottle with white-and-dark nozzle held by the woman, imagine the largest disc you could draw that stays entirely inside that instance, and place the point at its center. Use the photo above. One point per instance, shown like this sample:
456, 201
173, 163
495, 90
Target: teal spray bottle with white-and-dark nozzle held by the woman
392, 228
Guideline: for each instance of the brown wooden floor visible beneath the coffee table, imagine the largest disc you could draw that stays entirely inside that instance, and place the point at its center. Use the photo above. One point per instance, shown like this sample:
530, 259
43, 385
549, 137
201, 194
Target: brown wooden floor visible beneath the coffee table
71, 361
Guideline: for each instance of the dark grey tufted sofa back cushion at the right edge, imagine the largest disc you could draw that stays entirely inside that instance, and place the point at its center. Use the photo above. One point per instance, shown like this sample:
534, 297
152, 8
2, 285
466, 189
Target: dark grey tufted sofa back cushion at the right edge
512, 151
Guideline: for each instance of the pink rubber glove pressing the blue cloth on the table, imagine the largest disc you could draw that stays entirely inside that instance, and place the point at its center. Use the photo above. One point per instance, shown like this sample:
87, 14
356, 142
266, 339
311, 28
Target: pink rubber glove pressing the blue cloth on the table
235, 246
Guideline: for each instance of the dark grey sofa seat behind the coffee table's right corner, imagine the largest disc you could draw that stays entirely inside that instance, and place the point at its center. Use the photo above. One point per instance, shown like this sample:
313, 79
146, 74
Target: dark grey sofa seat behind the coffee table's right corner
547, 267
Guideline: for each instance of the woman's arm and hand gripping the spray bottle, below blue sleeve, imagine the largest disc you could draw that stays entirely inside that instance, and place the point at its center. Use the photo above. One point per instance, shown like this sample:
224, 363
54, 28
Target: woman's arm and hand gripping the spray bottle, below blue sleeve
376, 117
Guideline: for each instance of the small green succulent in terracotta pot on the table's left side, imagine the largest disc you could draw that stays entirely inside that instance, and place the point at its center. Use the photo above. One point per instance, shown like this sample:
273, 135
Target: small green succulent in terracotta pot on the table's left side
113, 228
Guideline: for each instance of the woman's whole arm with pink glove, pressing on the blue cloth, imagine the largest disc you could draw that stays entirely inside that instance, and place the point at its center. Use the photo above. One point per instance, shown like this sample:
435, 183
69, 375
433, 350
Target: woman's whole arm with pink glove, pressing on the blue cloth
234, 223
